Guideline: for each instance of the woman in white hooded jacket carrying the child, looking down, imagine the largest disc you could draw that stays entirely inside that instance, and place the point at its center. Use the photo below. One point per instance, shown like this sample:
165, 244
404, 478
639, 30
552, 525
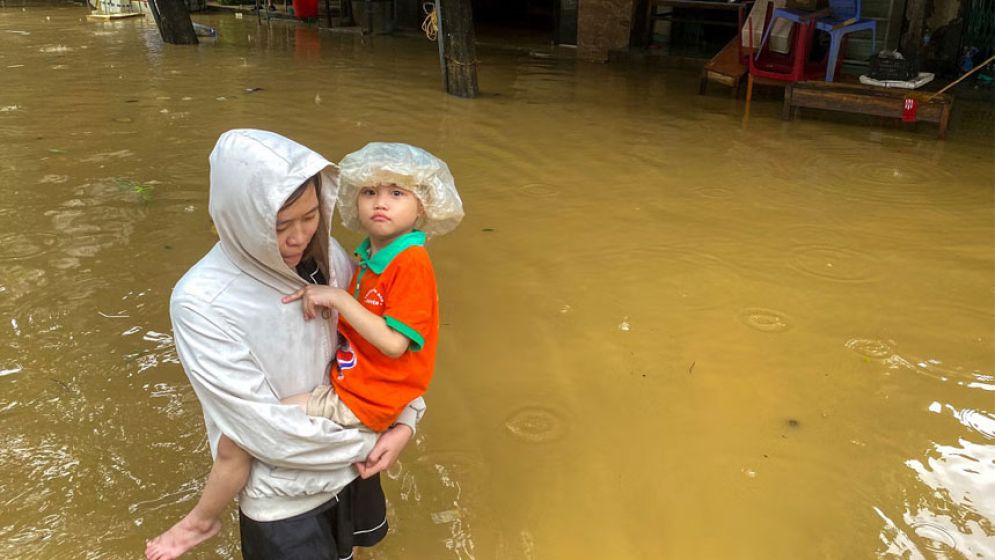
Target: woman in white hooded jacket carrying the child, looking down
244, 350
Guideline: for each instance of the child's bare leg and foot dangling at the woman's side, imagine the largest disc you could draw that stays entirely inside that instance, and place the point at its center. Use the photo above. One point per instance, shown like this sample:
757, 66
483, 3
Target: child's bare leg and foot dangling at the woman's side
228, 475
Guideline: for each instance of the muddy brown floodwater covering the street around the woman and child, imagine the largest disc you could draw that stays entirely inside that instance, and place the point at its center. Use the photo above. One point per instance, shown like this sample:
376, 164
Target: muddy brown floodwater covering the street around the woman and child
665, 335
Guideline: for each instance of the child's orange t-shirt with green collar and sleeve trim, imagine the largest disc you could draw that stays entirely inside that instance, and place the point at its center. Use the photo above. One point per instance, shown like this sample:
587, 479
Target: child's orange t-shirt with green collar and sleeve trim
398, 284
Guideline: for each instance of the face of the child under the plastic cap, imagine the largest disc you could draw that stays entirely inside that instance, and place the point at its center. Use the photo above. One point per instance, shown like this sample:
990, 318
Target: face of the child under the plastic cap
386, 212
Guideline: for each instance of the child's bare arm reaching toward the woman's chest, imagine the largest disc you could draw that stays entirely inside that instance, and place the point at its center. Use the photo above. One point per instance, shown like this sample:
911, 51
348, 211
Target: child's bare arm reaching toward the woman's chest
371, 327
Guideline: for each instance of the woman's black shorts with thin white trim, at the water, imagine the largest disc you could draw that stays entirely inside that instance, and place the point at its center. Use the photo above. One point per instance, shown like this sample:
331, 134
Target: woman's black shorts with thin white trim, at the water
356, 517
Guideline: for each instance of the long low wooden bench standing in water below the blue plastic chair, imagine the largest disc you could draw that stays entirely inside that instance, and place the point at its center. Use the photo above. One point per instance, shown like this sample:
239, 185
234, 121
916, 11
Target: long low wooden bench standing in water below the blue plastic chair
866, 100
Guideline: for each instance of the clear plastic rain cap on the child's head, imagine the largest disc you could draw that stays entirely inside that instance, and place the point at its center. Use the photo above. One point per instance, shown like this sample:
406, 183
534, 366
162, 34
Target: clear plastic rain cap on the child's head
411, 168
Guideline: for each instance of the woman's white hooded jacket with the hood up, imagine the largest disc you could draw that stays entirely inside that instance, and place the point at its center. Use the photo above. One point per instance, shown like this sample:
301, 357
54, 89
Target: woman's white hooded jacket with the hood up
244, 350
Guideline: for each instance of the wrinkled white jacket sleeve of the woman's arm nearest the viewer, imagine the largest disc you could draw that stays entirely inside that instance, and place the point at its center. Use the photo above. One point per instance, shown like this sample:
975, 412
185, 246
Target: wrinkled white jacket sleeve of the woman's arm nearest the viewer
237, 399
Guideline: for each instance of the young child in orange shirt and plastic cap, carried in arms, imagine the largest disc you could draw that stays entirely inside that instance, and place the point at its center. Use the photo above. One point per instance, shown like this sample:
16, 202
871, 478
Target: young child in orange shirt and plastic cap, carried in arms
388, 321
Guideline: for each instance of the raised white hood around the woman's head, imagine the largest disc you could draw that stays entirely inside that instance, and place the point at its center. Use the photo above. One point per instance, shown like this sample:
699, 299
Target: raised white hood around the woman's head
253, 172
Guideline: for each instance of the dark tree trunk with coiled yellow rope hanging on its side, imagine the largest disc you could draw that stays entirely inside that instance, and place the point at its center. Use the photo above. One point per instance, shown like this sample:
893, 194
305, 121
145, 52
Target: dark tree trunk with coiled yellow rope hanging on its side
460, 47
